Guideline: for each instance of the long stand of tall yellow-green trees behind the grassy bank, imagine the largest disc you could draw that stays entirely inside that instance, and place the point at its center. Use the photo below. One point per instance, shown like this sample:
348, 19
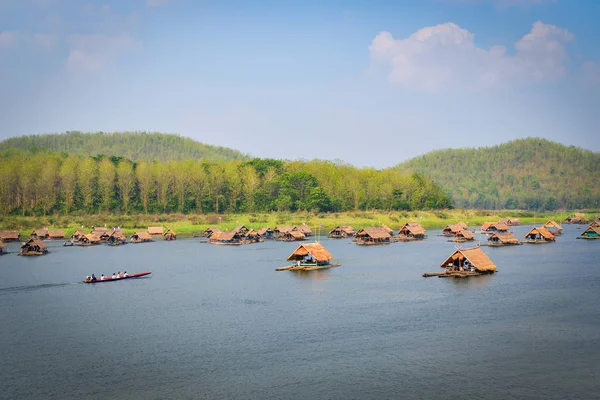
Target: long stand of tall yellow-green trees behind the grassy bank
41, 182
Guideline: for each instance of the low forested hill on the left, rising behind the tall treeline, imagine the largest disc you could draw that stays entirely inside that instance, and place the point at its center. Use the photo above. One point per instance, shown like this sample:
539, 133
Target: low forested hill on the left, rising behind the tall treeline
135, 146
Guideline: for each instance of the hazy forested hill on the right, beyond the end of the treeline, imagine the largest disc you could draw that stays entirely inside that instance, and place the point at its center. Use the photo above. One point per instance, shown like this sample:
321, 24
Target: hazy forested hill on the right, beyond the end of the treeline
532, 173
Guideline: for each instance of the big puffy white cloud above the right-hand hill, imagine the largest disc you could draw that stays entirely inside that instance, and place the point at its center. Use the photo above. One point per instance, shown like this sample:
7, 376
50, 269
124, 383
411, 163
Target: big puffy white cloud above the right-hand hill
445, 56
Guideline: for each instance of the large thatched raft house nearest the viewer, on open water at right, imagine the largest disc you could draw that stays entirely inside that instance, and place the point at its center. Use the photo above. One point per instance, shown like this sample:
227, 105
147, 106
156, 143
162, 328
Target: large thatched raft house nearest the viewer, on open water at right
464, 263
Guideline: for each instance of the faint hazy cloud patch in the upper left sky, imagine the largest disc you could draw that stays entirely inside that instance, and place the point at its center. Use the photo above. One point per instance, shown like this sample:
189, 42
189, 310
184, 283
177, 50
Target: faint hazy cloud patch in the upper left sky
95, 52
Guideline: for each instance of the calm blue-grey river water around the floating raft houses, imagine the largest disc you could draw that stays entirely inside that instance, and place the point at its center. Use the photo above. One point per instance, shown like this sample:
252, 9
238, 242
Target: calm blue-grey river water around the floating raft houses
218, 322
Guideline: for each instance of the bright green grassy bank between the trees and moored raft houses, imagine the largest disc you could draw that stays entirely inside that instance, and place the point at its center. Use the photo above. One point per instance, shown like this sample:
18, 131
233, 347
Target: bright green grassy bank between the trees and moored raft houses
193, 223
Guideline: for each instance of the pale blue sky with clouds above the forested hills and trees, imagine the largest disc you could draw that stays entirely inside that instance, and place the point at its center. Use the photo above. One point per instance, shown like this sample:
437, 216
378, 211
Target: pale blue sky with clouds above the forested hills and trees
369, 82
